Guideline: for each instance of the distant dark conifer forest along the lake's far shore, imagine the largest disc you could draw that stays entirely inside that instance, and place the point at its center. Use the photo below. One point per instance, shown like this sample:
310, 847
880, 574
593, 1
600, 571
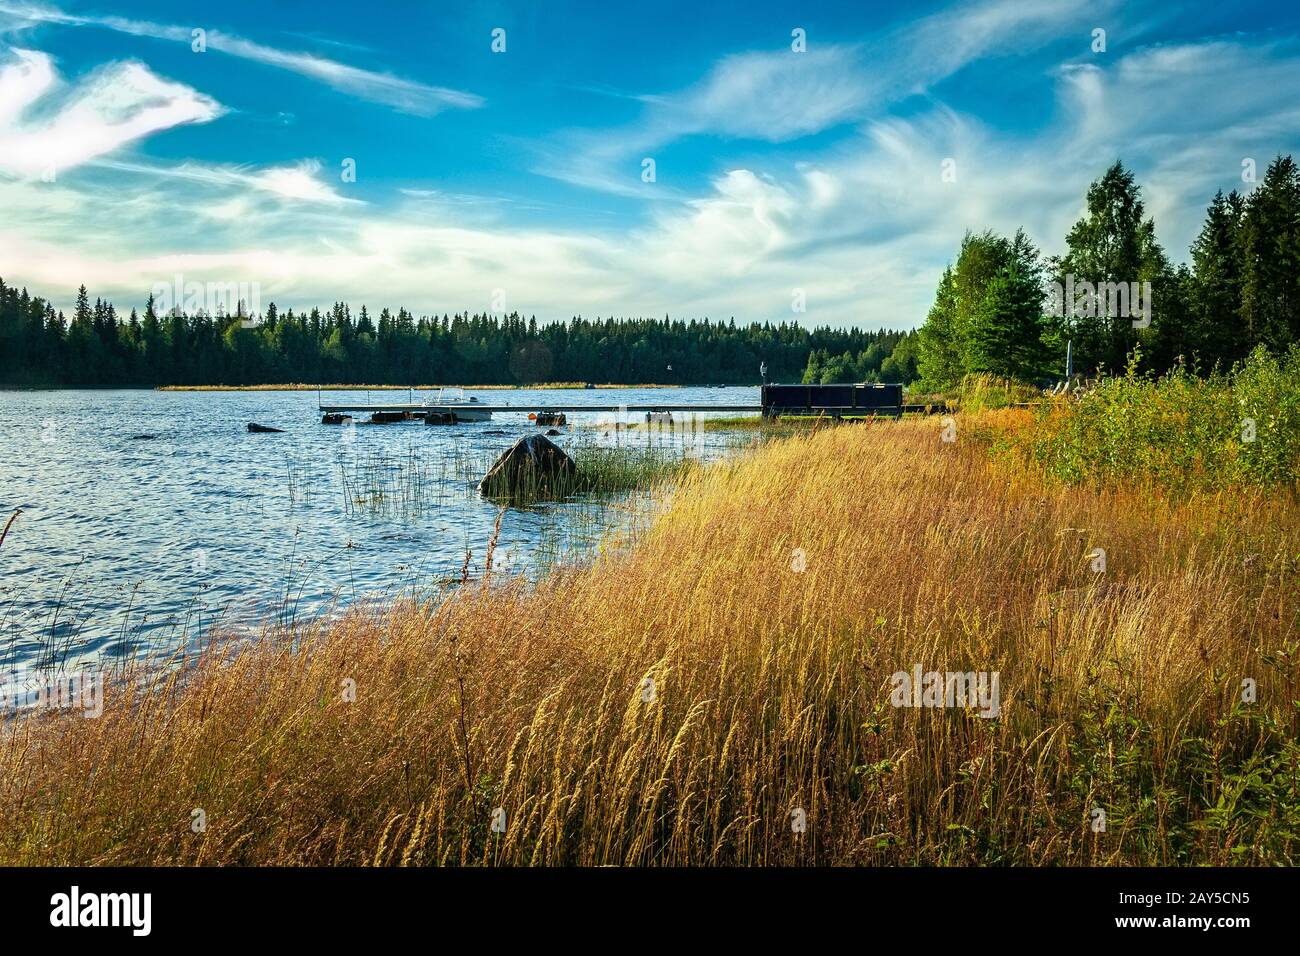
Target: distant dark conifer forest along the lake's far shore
98, 348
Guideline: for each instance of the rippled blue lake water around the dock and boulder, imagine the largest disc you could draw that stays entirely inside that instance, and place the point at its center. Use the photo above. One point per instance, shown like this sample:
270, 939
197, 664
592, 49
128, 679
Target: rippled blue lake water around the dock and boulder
132, 544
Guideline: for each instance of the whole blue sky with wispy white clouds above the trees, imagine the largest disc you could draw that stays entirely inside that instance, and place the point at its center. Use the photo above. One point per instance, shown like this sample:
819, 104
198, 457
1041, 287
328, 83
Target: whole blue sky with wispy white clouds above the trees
517, 179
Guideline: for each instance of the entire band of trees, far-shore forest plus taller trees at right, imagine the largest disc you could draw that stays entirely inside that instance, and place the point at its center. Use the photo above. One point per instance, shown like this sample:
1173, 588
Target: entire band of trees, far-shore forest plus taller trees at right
991, 315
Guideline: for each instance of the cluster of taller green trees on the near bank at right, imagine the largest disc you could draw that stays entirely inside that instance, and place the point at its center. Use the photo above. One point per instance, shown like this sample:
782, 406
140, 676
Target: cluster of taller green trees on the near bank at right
1241, 291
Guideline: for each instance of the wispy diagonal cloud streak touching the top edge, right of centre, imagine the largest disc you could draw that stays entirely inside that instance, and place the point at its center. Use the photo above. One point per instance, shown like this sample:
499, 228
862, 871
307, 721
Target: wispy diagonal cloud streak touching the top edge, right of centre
777, 97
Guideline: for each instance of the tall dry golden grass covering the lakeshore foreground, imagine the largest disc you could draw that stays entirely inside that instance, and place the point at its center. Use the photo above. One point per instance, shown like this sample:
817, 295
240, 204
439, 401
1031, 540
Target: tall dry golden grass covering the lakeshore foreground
772, 693
